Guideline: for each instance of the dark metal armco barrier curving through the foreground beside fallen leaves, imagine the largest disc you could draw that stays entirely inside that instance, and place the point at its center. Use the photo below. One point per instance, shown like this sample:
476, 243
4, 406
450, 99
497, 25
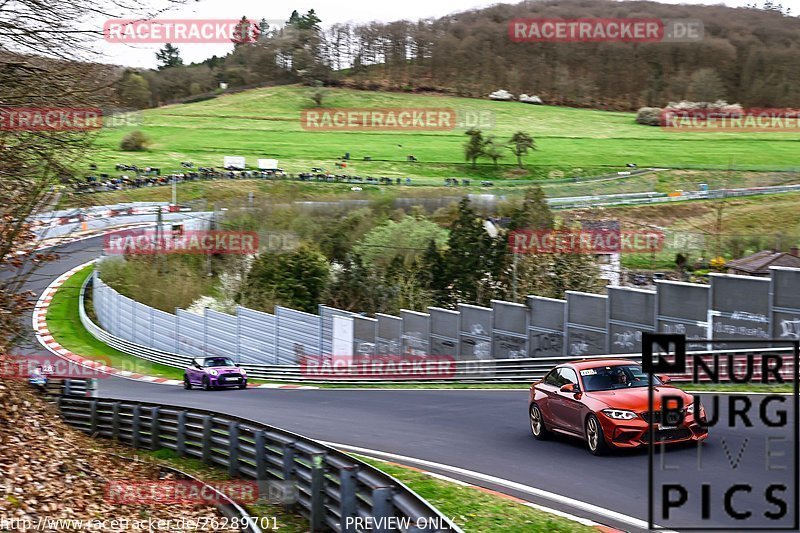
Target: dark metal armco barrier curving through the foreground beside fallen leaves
330, 485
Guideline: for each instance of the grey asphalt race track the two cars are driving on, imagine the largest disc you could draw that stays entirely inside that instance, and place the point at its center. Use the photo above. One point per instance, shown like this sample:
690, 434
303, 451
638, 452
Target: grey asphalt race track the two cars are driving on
487, 432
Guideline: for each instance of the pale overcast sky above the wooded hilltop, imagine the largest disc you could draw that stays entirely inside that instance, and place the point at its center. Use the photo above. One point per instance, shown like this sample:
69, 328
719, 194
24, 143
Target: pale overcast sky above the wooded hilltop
330, 11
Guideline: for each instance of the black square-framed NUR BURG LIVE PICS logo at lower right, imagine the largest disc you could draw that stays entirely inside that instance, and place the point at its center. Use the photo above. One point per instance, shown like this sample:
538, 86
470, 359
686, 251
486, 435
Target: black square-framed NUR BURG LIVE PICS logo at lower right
744, 476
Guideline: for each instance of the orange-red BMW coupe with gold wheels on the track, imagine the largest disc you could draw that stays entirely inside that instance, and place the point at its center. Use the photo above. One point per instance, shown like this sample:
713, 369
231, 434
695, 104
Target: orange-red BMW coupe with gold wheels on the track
605, 403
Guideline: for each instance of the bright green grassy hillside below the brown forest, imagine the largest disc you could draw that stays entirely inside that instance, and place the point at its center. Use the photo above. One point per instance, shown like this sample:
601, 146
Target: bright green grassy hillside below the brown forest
266, 123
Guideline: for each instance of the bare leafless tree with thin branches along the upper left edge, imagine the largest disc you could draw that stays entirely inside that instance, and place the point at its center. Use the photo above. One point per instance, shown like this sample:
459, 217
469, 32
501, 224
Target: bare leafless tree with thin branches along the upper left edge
48, 59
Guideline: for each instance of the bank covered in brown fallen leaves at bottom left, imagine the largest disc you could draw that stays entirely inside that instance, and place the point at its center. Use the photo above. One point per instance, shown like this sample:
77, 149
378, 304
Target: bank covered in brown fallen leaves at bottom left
49, 471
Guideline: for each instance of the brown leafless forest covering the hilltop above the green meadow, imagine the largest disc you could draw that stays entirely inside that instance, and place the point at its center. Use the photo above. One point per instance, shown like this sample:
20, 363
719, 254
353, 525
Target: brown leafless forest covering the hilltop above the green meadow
748, 55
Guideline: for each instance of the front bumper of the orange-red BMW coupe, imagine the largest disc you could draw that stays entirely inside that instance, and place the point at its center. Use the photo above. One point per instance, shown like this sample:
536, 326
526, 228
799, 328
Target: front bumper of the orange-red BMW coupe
635, 433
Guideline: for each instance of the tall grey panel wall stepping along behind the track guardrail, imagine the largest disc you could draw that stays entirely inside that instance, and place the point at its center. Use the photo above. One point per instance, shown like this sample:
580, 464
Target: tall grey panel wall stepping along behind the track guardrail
582, 325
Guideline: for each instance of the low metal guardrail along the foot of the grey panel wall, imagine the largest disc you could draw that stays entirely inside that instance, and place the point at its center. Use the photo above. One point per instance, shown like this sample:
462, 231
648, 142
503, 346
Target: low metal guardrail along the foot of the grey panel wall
479, 371
